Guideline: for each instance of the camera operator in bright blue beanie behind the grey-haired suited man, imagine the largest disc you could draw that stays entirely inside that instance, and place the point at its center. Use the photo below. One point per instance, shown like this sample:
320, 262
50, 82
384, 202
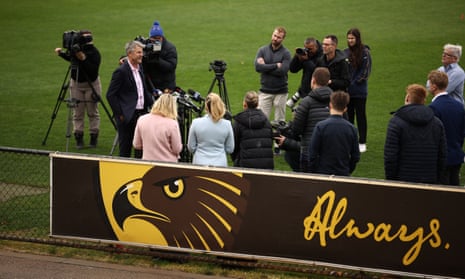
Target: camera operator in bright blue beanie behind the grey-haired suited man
160, 61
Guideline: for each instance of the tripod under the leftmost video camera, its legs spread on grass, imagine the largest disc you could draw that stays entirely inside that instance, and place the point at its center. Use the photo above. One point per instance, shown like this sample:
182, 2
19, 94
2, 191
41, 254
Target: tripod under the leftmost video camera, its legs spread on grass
71, 104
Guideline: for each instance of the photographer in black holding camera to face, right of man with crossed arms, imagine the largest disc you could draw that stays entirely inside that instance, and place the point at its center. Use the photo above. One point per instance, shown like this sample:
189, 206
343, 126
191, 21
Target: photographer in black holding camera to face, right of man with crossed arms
304, 59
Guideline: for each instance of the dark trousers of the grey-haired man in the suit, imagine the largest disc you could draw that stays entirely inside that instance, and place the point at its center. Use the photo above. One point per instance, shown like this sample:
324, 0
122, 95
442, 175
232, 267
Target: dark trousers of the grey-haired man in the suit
126, 136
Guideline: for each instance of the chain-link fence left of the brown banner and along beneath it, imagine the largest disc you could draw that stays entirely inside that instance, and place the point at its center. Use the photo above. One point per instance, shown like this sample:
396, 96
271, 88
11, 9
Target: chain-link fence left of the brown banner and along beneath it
25, 216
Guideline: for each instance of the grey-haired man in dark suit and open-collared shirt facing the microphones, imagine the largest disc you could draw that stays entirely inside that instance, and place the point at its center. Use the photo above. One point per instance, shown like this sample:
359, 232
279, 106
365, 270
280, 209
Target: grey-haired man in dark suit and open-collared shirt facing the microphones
128, 98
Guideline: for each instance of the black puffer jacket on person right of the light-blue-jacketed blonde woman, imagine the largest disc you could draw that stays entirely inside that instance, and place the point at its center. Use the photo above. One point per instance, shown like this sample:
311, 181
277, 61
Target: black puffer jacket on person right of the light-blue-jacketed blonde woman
253, 140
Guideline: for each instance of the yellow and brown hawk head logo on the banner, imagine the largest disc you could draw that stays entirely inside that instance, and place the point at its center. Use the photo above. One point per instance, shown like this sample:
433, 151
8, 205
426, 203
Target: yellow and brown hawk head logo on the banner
173, 207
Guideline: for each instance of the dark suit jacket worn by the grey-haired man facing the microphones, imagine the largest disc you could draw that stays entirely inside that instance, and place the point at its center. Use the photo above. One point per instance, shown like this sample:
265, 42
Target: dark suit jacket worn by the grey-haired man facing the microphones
122, 93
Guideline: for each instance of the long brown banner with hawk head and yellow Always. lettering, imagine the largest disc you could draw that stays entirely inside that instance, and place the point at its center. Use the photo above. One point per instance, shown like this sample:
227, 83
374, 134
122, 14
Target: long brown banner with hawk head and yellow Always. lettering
369, 224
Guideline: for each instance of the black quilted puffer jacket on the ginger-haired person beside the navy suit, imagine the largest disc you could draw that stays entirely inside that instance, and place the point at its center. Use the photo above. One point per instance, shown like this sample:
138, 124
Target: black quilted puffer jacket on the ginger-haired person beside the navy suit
415, 147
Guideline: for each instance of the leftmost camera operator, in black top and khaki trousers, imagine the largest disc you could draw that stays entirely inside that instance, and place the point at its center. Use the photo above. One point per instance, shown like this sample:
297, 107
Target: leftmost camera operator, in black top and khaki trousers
85, 86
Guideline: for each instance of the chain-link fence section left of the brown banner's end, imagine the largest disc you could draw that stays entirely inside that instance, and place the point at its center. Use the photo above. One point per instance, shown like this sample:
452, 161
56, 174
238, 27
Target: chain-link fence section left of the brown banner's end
24, 193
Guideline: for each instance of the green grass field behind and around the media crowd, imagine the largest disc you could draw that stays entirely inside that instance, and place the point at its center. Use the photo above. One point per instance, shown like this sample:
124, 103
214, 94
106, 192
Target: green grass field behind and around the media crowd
406, 38
